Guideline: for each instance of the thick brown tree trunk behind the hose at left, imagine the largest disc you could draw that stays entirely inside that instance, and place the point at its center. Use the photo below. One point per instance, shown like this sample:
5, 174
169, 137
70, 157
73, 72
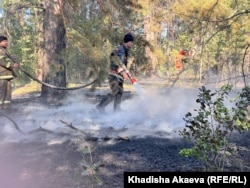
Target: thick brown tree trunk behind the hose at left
54, 42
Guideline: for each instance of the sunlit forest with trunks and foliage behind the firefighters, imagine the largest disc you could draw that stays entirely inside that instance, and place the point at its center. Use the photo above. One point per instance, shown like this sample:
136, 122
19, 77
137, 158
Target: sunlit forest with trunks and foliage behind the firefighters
62, 42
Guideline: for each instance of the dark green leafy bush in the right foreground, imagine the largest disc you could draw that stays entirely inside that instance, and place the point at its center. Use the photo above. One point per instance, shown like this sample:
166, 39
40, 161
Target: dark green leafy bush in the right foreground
211, 128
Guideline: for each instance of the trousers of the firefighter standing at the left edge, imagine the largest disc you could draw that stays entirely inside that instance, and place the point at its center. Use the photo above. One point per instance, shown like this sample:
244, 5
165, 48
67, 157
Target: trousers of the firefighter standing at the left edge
5, 93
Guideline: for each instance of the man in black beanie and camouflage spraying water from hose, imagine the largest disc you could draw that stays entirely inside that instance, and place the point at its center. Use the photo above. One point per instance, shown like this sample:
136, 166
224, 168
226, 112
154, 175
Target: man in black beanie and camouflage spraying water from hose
117, 74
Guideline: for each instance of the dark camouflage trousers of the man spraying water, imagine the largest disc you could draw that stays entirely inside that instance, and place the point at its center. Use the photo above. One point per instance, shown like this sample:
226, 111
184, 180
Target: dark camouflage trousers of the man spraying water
116, 93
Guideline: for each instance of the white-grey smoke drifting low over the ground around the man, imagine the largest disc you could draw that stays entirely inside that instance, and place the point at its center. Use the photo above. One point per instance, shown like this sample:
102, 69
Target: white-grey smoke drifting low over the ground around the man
150, 112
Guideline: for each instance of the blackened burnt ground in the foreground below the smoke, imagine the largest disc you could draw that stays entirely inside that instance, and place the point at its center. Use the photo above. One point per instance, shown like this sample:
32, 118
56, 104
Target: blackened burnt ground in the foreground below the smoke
38, 164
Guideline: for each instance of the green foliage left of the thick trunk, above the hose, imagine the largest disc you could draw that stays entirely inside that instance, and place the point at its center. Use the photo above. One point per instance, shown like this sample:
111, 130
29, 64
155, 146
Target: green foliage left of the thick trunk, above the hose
20, 25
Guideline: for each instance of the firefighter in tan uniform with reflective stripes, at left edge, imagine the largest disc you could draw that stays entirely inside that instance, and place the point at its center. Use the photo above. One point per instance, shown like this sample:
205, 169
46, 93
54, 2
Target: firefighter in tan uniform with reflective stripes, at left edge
7, 74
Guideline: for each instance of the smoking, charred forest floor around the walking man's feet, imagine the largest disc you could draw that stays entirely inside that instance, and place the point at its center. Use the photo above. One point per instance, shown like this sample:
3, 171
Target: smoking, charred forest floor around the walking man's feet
46, 154
